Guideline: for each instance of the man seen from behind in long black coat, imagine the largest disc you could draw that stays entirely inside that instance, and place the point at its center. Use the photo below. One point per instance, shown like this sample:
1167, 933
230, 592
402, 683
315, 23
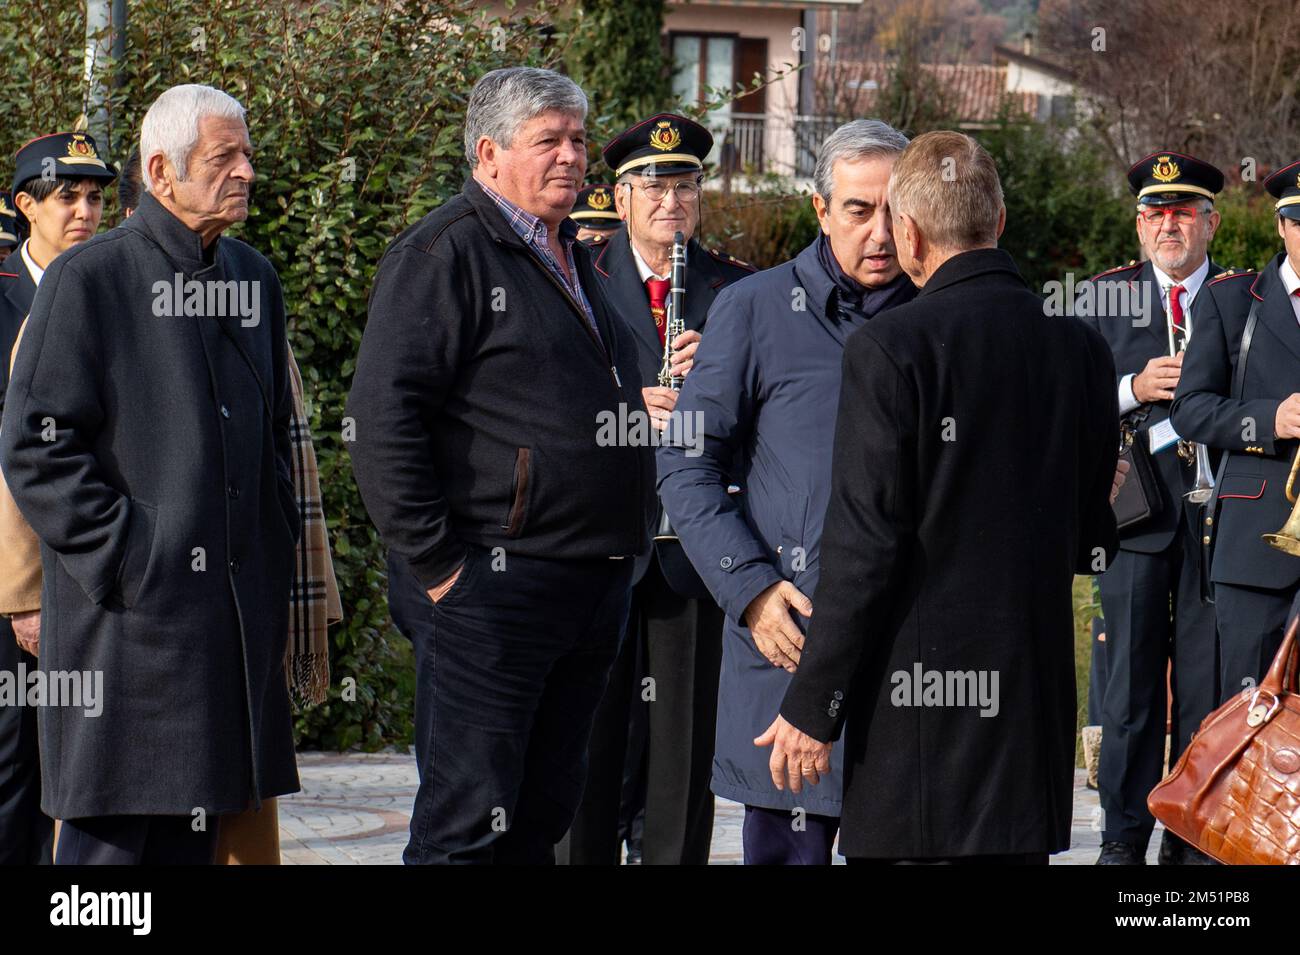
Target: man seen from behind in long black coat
974, 455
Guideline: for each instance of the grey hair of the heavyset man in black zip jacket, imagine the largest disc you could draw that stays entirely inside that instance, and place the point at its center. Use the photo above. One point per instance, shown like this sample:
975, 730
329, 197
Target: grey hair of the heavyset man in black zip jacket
504, 101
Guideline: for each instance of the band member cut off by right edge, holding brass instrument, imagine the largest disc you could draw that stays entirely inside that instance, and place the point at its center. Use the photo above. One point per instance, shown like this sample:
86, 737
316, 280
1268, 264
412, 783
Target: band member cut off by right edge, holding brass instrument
1254, 414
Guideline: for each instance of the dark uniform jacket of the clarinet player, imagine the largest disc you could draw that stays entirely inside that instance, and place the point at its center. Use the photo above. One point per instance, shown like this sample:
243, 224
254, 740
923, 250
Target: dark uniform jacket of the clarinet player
708, 274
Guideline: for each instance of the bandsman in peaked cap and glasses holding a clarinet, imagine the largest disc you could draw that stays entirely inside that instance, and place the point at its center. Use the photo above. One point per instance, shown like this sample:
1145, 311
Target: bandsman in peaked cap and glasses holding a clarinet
674, 640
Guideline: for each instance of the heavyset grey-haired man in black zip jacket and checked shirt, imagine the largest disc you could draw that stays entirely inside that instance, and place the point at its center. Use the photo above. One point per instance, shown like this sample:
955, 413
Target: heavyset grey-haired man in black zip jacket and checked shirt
488, 364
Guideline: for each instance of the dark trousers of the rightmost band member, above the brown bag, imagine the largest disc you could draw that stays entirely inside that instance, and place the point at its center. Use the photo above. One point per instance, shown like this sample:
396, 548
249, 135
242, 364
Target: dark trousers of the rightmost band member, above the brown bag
1253, 623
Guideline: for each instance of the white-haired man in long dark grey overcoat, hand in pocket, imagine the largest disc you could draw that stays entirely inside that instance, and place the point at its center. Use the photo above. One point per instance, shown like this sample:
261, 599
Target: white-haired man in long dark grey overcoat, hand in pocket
146, 441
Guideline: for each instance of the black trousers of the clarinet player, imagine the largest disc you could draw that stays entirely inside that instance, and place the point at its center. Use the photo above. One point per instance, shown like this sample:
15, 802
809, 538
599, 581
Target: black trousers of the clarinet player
678, 644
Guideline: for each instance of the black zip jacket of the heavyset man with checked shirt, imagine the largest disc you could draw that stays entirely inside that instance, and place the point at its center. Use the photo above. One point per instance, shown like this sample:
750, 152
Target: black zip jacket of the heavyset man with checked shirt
479, 396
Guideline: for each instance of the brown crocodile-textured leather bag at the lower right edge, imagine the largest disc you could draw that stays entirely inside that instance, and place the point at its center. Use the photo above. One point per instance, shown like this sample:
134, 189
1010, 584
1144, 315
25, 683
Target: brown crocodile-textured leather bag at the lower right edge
1236, 792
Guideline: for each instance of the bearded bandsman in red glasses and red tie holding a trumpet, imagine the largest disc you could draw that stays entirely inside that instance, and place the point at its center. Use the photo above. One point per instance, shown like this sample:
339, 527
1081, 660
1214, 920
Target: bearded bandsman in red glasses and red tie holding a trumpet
1151, 594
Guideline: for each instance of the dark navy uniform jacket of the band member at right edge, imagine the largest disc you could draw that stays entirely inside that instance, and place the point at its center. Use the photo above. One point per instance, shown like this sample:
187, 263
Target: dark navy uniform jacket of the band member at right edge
1253, 493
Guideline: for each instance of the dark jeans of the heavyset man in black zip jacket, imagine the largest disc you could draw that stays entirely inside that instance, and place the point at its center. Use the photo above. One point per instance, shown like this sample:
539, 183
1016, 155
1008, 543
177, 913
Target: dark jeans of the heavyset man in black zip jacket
509, 683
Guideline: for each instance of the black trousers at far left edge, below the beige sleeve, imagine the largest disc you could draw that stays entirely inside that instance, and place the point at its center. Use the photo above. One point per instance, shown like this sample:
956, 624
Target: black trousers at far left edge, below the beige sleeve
27, 834
